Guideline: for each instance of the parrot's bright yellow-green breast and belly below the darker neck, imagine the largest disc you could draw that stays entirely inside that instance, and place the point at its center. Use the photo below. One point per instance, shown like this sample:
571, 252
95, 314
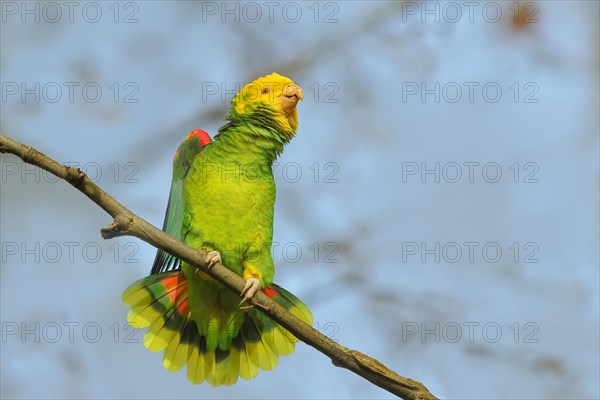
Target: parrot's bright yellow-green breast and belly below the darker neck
230, 207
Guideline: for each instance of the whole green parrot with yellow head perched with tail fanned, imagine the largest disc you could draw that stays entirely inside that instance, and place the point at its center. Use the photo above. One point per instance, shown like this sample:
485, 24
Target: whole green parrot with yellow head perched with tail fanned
222, 200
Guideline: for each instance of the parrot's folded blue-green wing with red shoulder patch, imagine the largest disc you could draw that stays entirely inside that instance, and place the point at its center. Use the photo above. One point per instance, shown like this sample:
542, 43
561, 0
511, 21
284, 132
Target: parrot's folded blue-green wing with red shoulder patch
189, 149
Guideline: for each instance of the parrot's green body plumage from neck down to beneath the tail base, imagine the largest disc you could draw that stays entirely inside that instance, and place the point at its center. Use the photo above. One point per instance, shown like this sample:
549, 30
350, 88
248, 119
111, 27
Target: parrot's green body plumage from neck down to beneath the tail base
229, 196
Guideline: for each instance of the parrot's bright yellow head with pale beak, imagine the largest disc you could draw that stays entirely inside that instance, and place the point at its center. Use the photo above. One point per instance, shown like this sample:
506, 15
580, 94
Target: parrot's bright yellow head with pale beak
275, 92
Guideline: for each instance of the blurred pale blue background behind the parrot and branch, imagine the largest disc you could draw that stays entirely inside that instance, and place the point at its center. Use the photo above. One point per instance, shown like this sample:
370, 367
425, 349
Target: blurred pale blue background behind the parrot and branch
394, 261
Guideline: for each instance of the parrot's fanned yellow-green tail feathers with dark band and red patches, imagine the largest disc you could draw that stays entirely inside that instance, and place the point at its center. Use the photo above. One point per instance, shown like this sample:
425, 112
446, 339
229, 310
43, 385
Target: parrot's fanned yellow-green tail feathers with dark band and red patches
160, 301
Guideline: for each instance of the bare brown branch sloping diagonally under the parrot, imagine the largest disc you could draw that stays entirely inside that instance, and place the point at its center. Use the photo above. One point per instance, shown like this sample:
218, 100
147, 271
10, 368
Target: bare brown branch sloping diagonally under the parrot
126, 223
